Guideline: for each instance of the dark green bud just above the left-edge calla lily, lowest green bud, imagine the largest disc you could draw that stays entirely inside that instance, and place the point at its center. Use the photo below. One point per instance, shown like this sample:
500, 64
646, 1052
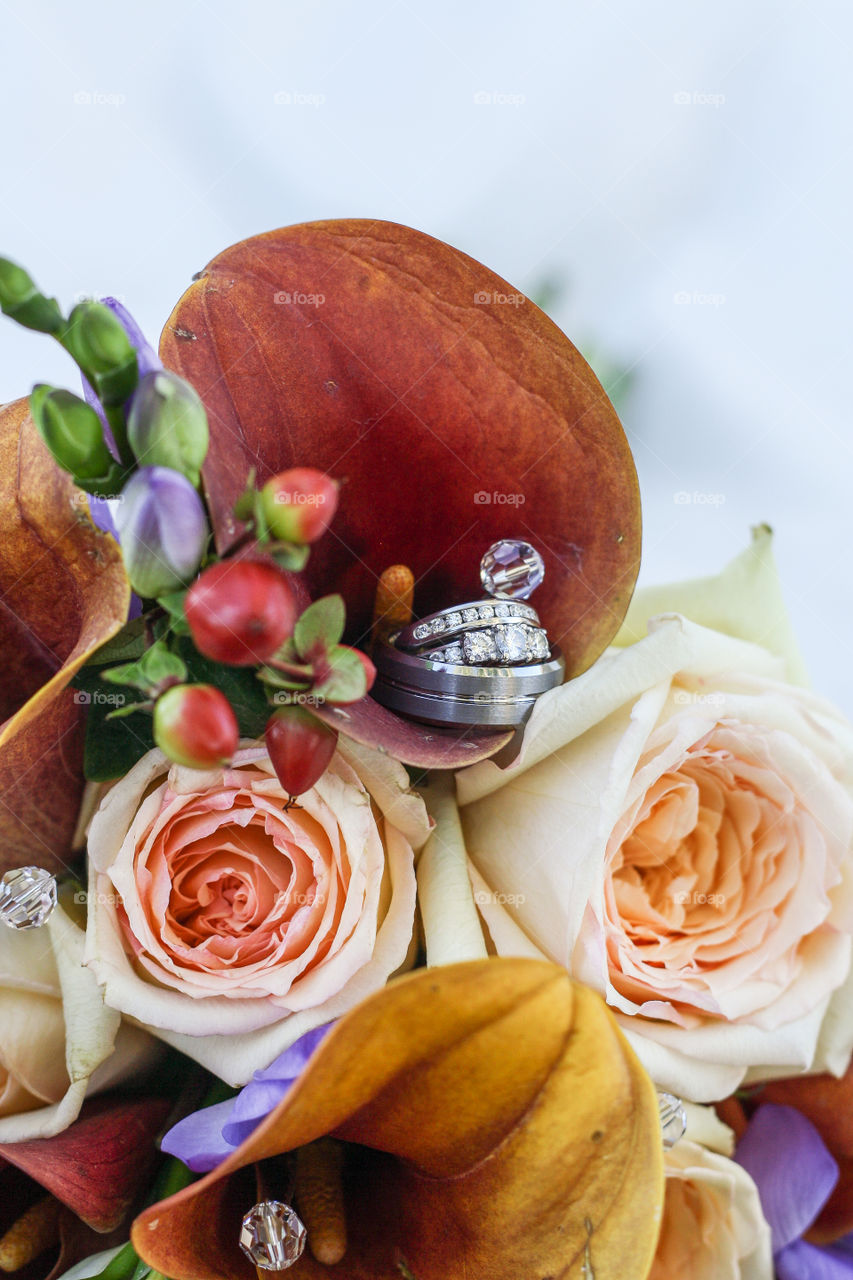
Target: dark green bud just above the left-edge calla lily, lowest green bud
72, 432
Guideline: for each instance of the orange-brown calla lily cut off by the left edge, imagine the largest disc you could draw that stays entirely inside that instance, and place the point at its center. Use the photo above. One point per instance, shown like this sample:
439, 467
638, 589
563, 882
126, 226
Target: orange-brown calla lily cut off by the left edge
63, 593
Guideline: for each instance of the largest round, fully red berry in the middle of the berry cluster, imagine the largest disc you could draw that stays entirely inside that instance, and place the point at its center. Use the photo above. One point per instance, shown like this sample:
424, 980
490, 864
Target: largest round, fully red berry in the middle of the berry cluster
240, 612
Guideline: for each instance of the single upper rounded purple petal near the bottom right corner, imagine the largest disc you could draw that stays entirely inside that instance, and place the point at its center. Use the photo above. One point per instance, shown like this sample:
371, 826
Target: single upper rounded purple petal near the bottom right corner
788, 1160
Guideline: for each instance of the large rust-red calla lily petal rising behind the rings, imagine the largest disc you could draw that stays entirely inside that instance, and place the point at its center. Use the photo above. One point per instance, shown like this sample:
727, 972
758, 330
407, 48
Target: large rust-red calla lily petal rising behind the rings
453, 410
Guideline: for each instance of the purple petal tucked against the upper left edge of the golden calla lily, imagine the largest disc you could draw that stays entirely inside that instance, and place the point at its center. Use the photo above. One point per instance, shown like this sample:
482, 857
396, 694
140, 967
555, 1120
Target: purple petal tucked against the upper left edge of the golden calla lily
206, 1139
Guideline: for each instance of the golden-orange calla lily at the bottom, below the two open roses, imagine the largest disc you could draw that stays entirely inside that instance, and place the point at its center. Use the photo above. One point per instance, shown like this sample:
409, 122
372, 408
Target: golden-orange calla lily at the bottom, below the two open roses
503, 1130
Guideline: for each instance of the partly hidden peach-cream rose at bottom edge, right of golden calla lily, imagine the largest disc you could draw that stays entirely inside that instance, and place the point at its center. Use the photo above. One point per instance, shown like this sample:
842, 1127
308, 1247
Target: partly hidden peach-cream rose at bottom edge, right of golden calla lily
713, 1226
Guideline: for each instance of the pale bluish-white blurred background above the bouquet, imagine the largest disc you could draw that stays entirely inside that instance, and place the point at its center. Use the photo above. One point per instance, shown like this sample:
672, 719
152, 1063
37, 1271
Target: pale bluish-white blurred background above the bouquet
673, 180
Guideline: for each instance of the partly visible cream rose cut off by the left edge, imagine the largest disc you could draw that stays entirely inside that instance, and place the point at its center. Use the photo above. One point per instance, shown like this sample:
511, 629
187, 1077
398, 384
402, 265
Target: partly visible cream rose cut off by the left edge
58, 1041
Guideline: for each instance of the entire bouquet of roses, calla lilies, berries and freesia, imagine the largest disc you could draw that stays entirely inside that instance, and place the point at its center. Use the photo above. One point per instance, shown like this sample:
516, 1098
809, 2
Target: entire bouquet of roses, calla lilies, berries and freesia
387, 892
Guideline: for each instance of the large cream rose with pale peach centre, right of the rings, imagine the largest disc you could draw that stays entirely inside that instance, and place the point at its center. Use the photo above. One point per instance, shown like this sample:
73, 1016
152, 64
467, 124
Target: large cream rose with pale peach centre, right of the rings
677, 830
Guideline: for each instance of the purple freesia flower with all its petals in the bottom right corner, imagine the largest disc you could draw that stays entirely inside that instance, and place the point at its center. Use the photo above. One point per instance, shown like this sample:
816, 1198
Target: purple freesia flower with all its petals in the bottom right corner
787, 1159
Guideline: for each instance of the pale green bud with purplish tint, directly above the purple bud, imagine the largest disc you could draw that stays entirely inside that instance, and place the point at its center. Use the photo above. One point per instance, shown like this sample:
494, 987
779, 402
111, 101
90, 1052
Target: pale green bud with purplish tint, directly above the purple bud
167, 424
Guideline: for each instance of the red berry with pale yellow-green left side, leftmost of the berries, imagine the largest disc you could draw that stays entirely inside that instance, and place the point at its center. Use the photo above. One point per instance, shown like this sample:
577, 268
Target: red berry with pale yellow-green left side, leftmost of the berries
194, 725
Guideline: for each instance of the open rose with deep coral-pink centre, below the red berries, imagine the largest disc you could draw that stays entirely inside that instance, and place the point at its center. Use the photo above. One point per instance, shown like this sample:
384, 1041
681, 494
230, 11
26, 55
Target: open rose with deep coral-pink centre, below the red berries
230, 924
